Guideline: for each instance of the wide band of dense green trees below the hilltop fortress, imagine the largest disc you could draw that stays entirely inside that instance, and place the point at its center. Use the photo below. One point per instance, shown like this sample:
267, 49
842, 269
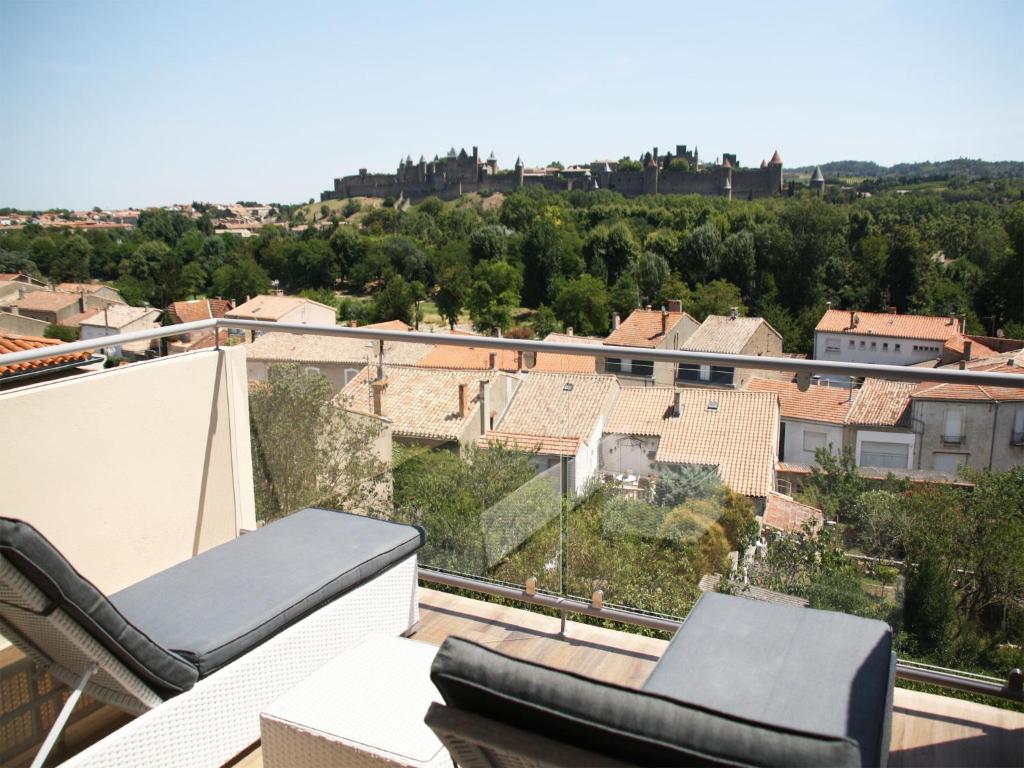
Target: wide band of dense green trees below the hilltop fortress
577, 258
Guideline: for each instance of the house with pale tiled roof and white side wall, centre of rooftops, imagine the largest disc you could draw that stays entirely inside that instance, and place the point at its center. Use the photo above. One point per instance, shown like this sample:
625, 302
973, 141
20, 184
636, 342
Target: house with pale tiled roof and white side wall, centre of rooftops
560, 418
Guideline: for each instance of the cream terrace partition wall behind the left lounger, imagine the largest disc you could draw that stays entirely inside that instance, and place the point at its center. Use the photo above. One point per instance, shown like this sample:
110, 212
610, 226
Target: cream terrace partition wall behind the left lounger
134, 470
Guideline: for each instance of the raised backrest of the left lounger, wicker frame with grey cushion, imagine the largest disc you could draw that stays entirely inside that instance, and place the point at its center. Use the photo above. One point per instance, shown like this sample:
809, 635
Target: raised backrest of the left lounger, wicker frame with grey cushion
58, 618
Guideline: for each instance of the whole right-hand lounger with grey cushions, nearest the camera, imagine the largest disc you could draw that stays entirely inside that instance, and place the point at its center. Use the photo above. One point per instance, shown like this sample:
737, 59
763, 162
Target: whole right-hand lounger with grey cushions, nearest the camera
742, 685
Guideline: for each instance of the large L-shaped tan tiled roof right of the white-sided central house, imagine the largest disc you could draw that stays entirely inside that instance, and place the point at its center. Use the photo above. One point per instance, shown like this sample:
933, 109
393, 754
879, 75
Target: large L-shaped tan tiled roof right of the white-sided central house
740, 437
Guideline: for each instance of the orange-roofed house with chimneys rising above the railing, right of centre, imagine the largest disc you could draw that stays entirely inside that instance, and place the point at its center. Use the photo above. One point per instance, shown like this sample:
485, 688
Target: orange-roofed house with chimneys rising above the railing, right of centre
649, 329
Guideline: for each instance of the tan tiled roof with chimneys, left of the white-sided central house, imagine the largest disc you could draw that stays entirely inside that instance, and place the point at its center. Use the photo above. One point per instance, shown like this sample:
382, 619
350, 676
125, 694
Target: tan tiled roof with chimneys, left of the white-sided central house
420, 403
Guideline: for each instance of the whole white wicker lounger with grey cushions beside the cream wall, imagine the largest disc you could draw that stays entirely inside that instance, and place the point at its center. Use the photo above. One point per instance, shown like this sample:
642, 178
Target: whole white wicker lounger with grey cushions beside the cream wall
199, 649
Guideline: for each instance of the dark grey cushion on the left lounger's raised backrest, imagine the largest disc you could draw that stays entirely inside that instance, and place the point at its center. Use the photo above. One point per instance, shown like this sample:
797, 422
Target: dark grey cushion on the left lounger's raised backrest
37, 560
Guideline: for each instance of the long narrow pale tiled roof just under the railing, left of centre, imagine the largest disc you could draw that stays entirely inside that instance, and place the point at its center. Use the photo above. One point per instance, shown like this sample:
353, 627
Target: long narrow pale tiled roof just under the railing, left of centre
312, 349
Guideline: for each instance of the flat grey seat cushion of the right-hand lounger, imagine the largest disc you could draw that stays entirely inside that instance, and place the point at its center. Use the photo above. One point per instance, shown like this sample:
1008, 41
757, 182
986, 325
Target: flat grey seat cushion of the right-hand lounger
827, 672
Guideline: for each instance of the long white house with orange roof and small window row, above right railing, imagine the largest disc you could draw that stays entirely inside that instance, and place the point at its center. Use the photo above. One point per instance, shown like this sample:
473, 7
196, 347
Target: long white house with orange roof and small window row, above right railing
884, 338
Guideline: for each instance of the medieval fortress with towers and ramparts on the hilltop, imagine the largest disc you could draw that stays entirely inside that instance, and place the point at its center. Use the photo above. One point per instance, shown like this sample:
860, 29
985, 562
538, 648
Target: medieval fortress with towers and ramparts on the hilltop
679, 174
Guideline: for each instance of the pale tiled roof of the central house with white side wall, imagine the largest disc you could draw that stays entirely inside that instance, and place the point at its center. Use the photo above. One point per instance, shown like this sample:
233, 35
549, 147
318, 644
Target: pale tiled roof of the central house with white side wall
541, 408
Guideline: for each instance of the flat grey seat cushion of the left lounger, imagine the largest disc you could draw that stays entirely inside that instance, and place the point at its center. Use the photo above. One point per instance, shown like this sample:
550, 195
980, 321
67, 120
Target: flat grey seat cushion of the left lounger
217, 607
